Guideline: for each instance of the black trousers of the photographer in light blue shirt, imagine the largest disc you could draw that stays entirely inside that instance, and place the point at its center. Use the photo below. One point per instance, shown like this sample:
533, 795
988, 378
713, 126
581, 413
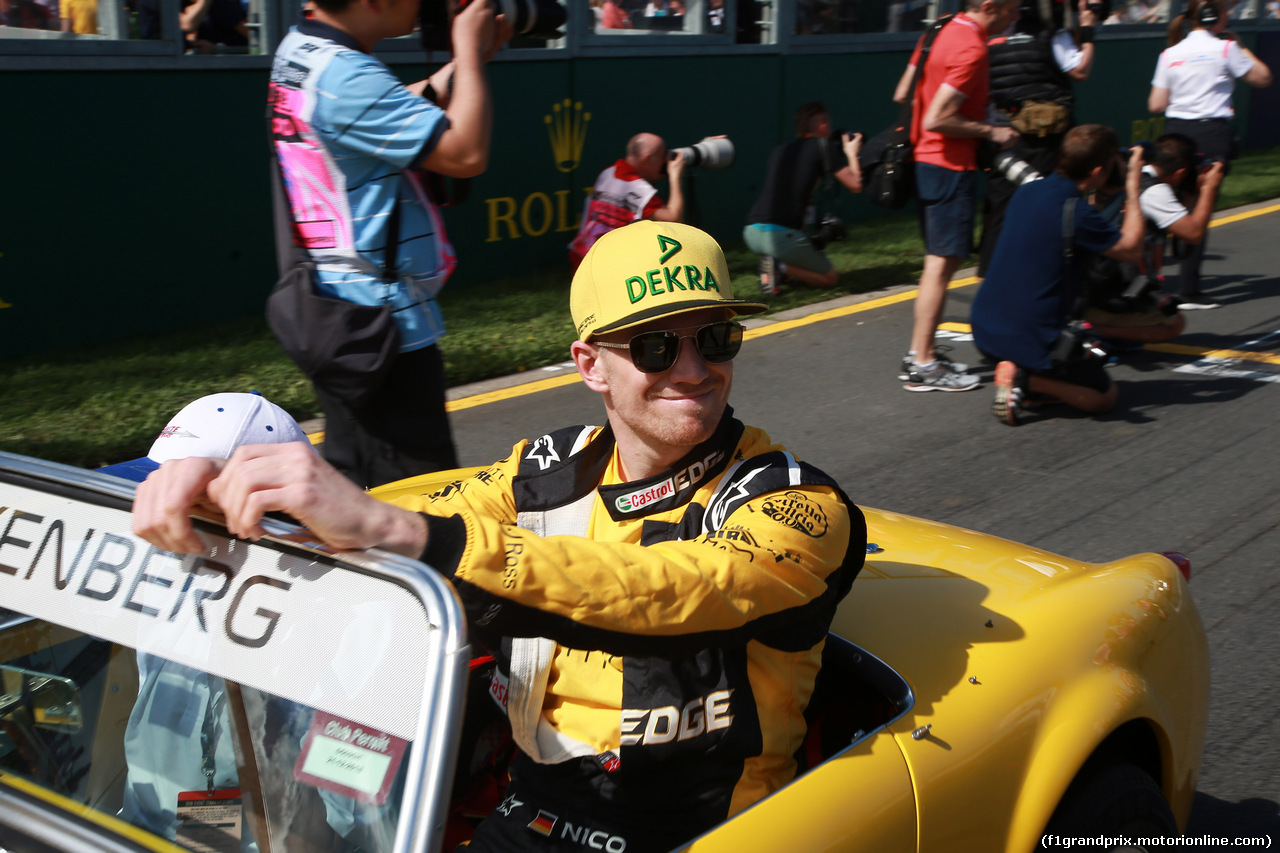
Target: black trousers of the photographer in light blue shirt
403, 432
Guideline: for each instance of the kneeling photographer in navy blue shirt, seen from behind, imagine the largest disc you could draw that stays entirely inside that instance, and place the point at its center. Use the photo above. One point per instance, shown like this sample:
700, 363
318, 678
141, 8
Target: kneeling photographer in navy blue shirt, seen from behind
1027, 314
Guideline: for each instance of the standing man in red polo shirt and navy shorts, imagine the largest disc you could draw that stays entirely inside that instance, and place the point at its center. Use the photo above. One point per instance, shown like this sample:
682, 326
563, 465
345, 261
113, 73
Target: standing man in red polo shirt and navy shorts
948, 124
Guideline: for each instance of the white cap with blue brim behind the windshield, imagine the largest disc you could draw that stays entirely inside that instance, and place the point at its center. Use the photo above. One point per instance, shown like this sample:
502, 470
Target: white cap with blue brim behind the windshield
214, 426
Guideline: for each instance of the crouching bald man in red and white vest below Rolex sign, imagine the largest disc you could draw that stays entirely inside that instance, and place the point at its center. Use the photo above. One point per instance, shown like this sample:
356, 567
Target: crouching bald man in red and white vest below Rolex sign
625, 194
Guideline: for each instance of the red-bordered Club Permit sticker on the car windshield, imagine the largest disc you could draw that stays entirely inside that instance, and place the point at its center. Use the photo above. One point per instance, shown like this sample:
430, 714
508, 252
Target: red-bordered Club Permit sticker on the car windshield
350, 760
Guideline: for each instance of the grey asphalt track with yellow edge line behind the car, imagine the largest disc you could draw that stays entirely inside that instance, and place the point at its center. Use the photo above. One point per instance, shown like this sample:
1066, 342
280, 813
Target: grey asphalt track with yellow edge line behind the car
1188, 462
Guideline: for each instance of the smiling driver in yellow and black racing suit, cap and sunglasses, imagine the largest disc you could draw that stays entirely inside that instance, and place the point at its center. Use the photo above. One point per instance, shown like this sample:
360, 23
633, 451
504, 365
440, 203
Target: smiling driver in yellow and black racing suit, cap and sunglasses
664, 583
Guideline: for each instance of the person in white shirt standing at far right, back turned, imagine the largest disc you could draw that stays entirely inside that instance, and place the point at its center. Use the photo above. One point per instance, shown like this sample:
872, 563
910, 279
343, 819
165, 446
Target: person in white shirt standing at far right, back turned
1192, 86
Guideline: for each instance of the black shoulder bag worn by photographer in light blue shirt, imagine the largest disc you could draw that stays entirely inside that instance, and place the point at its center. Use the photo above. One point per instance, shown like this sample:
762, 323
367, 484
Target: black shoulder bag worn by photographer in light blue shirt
344, 348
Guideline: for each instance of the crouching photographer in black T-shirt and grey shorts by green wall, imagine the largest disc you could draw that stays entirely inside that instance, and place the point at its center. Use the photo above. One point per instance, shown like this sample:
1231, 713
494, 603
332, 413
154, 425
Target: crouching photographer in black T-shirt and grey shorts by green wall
775, 227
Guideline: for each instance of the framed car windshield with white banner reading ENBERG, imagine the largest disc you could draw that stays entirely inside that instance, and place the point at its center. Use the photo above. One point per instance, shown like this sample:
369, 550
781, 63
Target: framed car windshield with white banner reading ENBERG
263, 697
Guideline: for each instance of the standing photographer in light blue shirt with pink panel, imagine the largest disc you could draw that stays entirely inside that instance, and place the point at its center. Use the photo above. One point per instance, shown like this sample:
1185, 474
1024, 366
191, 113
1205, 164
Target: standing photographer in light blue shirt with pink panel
351, 142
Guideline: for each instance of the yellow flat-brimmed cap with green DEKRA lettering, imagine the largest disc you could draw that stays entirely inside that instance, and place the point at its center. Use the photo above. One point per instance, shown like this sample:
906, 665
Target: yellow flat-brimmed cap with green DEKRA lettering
648, 271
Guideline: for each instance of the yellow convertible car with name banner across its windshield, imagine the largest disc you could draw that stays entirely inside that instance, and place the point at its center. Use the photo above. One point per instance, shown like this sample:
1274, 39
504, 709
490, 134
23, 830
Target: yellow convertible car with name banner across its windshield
977, 695
